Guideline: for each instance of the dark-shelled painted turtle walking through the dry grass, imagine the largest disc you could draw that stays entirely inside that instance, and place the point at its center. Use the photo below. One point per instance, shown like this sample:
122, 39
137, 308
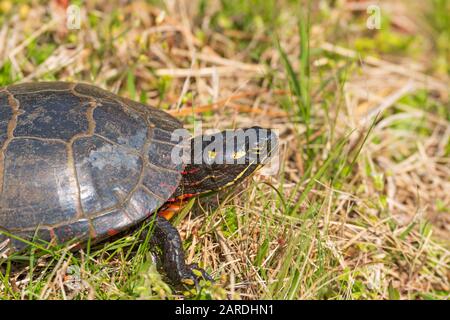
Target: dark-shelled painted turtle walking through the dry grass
78, 162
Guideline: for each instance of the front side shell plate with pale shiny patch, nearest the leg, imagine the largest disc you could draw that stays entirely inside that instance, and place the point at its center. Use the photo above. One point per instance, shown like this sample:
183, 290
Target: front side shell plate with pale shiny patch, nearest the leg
107, 173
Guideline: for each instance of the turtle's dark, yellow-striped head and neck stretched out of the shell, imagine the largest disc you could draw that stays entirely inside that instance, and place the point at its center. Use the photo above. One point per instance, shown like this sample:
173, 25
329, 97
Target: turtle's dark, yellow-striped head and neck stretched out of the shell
226, 158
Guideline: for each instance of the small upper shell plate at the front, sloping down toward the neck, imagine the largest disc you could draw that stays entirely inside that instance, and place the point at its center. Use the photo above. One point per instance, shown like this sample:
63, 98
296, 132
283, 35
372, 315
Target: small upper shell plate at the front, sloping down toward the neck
120, 125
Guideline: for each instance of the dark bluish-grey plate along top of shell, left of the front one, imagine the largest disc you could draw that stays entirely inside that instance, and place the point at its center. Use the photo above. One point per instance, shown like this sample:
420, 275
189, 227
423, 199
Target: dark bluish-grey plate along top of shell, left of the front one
51, 115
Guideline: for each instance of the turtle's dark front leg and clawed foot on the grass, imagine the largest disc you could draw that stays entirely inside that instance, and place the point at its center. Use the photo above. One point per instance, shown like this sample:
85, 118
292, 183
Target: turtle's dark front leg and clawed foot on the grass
168, 239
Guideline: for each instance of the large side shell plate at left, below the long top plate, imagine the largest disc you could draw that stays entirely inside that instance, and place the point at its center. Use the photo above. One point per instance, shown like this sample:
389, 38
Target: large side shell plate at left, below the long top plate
39, 188
